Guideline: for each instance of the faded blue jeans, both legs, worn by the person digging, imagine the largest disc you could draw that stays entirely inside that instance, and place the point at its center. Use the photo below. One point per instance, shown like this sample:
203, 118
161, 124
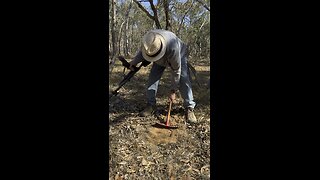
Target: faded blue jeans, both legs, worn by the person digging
185, 84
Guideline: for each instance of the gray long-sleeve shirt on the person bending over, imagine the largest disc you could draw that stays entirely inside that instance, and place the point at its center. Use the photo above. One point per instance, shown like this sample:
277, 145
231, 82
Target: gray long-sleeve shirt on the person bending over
175, 50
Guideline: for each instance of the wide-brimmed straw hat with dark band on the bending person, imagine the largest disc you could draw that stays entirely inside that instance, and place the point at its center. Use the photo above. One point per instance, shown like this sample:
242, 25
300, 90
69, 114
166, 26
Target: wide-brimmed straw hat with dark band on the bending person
153, 46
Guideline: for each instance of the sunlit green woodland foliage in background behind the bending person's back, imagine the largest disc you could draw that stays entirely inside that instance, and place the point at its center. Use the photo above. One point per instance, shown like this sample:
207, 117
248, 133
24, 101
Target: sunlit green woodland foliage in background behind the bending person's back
188, 18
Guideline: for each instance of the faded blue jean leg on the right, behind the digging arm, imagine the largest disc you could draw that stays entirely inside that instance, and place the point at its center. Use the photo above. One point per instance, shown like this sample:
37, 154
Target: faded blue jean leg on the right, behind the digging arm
185, 84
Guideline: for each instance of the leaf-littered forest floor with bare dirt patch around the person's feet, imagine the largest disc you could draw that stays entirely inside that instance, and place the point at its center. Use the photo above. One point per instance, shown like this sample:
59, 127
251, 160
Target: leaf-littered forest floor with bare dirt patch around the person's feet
137, 150
